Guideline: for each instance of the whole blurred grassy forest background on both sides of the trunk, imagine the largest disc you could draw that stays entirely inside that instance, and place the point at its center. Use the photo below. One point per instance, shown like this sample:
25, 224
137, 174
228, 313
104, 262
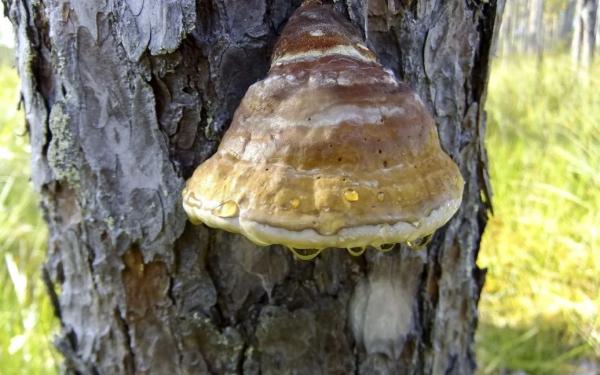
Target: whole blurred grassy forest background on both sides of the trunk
540, 309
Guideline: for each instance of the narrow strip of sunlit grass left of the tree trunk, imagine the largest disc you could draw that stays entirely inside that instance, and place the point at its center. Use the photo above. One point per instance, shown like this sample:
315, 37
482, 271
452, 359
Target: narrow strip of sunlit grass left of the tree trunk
26, 319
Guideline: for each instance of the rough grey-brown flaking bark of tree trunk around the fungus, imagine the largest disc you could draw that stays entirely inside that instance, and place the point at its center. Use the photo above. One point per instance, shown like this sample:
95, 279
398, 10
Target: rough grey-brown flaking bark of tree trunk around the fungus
124, 98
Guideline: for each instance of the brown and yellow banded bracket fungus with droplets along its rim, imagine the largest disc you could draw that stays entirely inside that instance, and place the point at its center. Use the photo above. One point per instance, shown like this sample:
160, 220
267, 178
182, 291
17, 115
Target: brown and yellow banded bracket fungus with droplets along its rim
329, 150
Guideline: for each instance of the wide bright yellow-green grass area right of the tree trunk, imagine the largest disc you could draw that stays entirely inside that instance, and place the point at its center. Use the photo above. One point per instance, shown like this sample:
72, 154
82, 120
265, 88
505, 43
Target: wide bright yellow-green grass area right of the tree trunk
541, 303
